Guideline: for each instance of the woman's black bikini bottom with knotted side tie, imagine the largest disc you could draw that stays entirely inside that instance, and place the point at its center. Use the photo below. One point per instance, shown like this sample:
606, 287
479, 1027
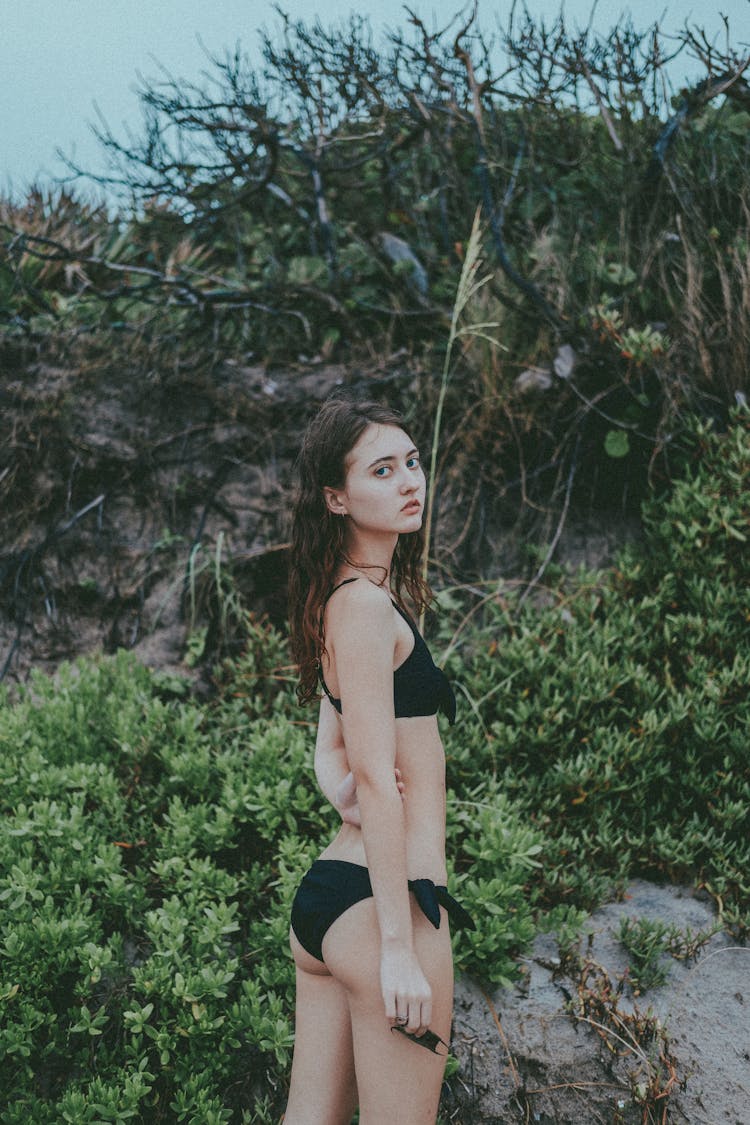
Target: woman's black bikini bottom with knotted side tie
331, 887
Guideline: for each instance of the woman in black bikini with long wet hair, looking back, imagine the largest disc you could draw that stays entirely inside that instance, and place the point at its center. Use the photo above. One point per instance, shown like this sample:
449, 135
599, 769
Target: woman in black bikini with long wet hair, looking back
369, 928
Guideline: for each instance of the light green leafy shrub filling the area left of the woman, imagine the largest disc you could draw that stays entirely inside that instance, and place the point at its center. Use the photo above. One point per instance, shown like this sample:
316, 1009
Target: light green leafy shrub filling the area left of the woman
138, 867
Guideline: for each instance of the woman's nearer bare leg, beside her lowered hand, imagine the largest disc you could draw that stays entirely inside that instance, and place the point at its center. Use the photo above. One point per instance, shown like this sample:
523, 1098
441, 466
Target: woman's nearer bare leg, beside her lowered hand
399, 1082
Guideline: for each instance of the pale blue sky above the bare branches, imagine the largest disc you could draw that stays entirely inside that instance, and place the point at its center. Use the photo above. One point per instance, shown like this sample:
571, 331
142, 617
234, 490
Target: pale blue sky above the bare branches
66, 62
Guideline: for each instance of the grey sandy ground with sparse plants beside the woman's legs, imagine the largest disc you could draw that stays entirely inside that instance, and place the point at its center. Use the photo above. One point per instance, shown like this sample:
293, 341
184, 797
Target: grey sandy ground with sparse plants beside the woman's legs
525, 1057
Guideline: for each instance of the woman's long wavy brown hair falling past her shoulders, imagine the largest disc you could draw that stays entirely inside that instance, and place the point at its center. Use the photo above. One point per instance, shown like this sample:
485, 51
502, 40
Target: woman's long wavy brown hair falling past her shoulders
318, 536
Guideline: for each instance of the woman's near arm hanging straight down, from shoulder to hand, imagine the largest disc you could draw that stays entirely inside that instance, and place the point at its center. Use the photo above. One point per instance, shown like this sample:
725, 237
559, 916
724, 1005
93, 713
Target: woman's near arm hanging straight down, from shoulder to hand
363, 634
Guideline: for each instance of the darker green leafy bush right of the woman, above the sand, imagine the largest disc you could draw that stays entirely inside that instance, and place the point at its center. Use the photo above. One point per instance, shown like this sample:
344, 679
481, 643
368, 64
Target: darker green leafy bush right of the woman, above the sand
617, 715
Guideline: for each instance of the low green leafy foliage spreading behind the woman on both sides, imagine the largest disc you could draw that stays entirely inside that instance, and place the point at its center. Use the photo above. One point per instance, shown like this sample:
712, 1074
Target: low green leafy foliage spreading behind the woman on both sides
150, 847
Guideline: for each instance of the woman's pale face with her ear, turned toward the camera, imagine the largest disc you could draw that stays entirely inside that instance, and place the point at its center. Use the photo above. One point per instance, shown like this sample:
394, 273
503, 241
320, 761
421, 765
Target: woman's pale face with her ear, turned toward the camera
385, 487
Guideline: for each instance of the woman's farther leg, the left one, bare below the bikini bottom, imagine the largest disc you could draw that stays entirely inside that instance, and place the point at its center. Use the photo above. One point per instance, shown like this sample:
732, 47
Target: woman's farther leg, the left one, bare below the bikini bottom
323, 1088
